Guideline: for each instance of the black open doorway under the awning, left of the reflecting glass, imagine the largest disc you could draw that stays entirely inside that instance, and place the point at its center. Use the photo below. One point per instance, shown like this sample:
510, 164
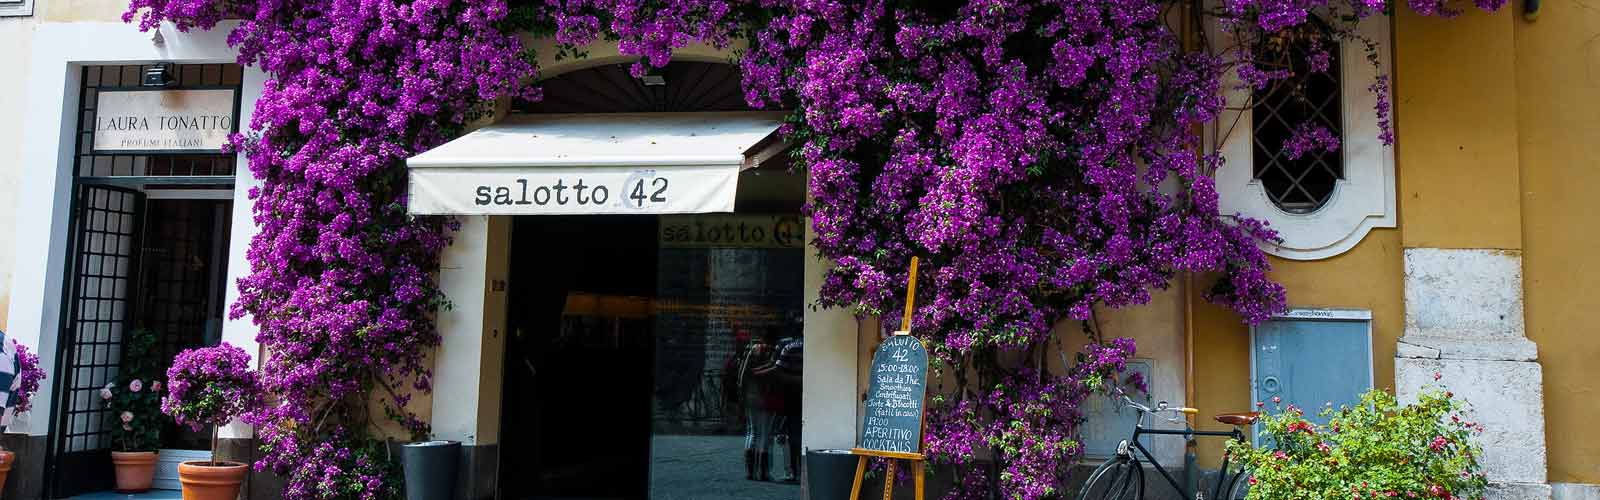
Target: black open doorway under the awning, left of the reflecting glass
578, 361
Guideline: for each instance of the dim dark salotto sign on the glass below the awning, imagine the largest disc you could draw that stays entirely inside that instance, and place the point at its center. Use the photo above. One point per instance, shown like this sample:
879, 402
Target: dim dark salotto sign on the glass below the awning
732, 232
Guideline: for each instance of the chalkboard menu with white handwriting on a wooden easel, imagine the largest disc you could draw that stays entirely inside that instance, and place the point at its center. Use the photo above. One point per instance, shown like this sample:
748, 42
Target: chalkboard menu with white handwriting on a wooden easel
895, 397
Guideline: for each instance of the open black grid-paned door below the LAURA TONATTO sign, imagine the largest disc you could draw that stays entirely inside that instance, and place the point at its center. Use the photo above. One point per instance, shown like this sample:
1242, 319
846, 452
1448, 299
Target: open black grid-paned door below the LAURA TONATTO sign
95, 317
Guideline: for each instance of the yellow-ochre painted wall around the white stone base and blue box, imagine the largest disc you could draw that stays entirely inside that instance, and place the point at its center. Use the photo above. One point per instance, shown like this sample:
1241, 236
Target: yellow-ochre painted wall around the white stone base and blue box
1498, 127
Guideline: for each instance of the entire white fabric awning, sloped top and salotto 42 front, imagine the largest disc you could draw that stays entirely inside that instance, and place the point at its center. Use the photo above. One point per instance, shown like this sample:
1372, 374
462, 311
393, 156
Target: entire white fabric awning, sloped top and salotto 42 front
566, 164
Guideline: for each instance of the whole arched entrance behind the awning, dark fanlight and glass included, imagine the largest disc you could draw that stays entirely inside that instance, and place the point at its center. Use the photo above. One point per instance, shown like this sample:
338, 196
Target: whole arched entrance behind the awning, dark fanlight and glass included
630, 363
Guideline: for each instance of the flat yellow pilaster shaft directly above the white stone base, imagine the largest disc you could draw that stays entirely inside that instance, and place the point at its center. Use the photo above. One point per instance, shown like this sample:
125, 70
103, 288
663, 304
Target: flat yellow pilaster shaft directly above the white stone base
1457, 155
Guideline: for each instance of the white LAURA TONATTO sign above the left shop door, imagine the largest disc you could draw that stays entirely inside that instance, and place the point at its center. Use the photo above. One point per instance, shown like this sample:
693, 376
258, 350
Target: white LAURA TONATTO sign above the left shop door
164, 121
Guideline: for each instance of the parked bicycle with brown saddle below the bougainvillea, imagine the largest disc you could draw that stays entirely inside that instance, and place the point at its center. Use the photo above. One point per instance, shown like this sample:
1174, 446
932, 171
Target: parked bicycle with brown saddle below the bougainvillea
1122, 477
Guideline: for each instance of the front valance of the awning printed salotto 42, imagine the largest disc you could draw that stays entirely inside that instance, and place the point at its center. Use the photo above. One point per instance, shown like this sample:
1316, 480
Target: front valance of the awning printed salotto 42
574, 190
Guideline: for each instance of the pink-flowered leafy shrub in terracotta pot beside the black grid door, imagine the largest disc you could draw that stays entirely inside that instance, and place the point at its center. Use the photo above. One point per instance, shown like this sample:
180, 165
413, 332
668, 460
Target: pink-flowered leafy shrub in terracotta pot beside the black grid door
135, 403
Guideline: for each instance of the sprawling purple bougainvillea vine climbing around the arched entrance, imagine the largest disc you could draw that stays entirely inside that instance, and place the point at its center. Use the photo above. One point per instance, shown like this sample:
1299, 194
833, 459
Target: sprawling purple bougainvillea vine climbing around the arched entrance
1042, 158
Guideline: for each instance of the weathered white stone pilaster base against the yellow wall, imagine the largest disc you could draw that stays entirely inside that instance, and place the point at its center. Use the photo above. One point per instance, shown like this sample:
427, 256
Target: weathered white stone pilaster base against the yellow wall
1465, 323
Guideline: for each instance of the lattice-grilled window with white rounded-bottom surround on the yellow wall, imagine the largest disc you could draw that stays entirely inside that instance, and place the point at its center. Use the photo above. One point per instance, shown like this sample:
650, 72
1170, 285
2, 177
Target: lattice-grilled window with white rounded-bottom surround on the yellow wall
1321, 203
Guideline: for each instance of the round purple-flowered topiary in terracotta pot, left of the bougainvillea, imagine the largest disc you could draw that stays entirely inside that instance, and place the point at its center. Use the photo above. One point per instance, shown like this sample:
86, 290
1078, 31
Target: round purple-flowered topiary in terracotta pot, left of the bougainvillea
212, 387
